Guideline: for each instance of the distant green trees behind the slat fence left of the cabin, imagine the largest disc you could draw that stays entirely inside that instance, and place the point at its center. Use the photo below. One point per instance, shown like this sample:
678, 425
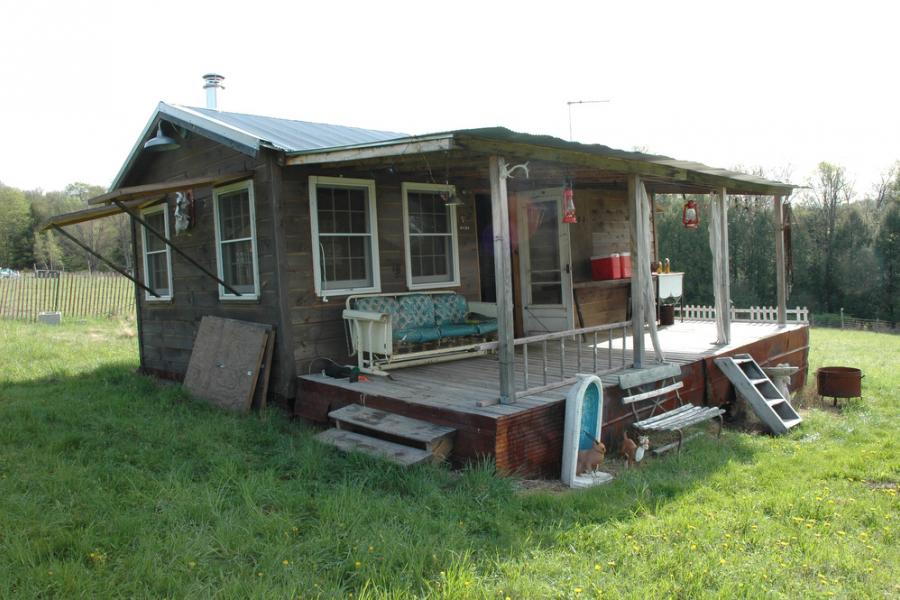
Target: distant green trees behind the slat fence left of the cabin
23, 246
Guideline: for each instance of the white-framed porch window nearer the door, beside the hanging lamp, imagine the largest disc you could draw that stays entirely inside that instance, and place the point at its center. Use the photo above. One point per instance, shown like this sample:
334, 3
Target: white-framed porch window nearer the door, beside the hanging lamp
429, 226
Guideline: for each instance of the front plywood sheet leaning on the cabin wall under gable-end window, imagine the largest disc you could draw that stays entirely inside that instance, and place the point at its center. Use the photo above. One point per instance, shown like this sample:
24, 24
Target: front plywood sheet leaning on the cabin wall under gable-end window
225, 362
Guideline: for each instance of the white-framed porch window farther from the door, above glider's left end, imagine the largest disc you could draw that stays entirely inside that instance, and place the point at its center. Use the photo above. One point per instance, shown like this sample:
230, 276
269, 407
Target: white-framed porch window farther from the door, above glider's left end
345, 235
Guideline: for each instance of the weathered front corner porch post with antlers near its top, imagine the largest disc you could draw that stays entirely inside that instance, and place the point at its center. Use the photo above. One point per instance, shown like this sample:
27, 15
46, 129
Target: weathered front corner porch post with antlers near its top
503, 279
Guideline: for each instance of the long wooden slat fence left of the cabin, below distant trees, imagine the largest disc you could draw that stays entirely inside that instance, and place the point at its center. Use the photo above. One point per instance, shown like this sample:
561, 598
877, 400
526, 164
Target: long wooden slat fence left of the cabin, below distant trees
84, 295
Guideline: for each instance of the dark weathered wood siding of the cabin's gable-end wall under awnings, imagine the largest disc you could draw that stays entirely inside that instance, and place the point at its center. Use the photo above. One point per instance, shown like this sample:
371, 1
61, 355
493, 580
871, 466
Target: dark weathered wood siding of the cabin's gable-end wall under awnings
168, 328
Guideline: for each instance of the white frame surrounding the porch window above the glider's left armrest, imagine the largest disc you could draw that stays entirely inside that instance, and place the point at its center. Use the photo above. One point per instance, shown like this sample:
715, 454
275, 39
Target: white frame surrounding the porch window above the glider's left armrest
369, 185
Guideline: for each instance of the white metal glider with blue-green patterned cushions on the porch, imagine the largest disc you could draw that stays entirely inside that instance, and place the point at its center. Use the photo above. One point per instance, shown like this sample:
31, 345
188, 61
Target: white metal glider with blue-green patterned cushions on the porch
388, 331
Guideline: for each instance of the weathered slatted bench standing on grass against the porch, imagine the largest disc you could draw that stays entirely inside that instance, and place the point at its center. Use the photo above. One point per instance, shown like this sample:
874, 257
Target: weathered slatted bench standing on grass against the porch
653, 385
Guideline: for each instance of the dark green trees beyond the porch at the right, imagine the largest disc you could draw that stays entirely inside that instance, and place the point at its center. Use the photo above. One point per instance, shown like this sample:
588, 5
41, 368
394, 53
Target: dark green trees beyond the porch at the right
843, 246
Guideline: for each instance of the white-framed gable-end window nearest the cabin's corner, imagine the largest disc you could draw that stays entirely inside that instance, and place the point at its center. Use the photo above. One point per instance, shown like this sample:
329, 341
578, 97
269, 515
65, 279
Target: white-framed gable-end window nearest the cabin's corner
236, 258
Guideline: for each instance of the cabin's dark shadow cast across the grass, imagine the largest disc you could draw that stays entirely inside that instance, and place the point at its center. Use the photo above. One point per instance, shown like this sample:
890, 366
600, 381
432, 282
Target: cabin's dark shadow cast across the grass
123, 458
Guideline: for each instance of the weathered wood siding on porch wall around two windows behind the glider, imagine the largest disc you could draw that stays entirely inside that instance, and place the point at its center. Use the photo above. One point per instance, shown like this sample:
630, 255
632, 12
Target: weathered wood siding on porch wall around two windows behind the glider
317, 326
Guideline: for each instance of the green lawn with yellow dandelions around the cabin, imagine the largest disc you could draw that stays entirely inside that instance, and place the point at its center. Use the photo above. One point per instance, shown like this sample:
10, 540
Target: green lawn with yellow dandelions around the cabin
114, 486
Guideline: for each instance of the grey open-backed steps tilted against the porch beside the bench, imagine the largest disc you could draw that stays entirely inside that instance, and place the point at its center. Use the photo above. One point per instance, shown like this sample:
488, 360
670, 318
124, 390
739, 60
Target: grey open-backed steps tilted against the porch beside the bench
757, 389
